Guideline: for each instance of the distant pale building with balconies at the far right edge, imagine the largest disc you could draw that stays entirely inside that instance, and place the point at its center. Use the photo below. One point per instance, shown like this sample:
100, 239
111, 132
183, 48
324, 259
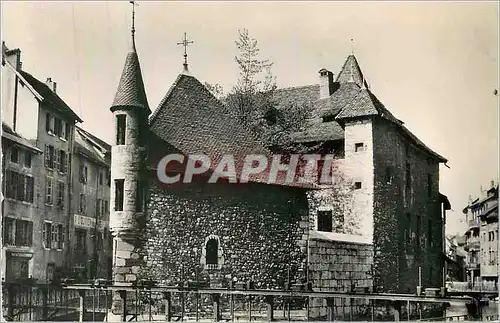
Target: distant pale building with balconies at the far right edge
482, 237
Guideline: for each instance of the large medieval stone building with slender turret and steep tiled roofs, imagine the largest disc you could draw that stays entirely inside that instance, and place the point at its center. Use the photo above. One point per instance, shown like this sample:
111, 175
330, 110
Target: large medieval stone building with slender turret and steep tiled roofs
390, 232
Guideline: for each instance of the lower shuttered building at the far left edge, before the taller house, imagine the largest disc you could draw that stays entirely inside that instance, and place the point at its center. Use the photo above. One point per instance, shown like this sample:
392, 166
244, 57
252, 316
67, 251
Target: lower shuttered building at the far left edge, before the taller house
21, 161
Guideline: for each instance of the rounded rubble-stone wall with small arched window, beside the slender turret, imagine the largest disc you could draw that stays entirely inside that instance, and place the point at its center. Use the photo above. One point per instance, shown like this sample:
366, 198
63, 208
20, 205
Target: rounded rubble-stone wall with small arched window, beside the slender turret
261, 232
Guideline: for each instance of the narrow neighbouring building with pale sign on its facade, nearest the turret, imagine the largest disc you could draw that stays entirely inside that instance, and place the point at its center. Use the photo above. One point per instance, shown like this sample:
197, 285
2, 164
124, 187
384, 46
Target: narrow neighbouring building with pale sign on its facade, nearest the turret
90, 244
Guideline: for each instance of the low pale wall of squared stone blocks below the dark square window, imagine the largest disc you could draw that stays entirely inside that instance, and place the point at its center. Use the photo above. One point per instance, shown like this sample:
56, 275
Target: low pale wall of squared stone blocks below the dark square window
340, 266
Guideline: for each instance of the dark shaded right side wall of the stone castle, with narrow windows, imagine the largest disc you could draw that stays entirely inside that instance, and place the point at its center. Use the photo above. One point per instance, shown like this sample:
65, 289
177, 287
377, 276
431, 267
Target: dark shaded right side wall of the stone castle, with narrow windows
407, 227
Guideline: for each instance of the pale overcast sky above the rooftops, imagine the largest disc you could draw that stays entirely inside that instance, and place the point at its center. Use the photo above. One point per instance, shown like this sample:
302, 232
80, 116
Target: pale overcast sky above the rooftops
434, 65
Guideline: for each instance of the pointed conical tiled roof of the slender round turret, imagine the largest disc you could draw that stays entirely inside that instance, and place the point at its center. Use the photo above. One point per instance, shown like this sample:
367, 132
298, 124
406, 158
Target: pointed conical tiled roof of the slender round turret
131, 92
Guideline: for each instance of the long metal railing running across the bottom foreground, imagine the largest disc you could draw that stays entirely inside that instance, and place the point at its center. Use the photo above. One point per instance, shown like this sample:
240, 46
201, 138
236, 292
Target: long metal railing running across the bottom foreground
150, 302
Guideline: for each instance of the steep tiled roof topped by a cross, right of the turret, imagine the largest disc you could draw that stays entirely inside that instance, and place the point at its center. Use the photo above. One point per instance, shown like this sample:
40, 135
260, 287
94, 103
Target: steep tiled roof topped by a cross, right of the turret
190, 120
